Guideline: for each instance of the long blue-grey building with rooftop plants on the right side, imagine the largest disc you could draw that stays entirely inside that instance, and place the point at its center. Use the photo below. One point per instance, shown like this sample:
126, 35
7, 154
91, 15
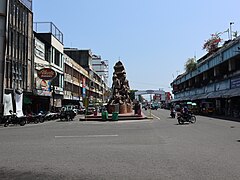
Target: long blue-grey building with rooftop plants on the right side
215, 82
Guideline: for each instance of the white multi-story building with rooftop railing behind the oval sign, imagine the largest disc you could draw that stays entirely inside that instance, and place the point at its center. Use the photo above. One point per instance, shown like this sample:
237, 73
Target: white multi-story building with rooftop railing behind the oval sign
52, 38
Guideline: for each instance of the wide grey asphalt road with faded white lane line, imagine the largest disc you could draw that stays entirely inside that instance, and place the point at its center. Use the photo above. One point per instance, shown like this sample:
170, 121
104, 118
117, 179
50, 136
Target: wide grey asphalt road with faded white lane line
146, 149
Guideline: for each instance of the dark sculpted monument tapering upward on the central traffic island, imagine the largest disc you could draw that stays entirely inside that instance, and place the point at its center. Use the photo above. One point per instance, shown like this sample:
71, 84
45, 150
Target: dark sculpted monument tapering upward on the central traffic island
120, 100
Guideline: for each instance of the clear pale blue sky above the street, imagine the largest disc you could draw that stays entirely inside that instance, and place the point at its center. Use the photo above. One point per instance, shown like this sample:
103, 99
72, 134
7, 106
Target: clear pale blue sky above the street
153, 38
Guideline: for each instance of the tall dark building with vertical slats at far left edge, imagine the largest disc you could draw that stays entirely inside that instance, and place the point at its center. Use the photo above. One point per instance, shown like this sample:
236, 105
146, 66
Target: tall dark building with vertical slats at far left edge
16, 51
